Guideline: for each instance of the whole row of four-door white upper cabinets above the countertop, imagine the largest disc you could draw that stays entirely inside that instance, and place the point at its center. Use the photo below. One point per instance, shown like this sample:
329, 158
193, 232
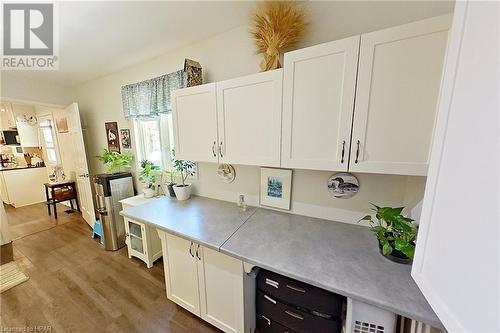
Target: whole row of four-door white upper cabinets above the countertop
362, 104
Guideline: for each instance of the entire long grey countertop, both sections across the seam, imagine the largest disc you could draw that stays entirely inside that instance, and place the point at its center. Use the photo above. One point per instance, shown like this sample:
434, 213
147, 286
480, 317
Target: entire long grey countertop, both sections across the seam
338, 257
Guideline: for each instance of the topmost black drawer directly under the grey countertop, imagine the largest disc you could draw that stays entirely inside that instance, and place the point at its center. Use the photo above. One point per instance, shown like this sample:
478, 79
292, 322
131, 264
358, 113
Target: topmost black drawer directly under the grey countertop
300, 294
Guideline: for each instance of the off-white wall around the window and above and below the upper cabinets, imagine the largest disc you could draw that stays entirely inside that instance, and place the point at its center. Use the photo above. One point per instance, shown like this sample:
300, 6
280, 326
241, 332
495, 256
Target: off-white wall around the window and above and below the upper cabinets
232, 54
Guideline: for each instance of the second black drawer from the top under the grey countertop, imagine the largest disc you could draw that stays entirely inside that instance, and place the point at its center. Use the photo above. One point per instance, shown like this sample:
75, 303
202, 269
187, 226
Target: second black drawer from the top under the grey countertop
297, 320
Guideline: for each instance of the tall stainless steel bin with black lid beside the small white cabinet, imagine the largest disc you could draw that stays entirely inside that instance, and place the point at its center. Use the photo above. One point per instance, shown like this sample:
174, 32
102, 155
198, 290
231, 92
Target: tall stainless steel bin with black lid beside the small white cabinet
110, 189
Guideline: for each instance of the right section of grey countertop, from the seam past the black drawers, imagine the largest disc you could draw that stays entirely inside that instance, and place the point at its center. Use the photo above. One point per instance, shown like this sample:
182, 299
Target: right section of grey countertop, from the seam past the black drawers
338, 257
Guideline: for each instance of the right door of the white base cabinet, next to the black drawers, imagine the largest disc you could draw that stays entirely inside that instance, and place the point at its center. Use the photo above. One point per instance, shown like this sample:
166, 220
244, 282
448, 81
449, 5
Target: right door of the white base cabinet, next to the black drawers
221, 290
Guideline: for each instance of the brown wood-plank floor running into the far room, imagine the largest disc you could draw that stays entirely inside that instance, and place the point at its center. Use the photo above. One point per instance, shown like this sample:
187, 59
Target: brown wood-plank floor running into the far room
76, 286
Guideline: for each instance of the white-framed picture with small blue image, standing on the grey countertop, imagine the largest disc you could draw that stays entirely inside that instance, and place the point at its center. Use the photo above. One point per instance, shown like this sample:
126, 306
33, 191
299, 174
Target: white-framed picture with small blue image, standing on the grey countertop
275, 187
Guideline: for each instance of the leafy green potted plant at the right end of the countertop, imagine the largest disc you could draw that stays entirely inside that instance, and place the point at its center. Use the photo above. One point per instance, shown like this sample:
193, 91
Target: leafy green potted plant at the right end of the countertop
395, 232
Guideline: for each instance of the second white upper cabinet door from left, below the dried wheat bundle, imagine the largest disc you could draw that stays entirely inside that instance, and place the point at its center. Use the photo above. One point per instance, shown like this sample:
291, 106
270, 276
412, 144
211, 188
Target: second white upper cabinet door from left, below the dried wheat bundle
249, 114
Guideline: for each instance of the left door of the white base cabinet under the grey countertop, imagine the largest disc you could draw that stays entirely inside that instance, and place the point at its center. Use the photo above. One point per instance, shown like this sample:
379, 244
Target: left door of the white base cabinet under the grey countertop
181, 275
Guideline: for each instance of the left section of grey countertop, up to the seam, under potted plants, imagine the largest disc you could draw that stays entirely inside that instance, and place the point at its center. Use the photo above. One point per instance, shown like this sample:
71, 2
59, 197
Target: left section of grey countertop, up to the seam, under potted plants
207, 221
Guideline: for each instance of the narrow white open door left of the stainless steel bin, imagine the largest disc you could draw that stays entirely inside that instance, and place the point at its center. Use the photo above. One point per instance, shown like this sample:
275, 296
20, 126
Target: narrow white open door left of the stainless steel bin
83, 181
